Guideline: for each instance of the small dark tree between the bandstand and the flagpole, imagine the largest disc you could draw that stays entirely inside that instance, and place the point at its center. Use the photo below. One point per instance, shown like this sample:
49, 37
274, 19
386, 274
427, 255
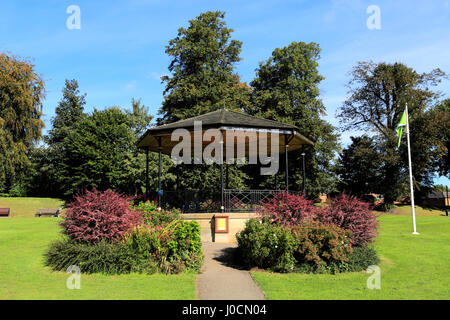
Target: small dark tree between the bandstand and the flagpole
359, 167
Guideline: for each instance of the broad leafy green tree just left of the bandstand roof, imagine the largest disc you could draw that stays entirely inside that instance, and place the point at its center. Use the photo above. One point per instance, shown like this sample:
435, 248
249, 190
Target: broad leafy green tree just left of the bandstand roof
97, 148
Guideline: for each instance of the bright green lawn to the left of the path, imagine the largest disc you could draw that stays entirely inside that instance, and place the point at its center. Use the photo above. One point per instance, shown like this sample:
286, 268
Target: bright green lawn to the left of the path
23, 276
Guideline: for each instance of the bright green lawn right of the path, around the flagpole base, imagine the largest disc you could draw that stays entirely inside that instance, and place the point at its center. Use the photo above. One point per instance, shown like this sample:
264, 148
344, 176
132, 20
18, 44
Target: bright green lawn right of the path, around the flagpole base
412, 267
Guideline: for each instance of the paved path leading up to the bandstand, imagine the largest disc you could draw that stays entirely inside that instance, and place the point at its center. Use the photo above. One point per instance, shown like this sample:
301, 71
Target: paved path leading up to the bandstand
221, 279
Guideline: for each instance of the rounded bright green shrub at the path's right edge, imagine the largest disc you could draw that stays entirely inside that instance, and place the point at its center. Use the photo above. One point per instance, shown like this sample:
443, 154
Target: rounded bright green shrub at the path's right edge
266, 246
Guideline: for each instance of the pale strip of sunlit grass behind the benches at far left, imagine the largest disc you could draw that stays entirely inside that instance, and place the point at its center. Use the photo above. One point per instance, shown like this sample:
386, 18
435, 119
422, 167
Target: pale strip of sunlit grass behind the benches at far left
26, 207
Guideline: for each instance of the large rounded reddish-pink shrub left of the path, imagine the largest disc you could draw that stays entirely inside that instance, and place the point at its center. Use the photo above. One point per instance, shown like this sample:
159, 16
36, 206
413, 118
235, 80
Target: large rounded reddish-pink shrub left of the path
95, 216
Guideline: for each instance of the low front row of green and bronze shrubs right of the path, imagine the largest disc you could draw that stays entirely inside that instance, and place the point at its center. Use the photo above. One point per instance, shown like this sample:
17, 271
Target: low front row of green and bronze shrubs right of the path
311, 247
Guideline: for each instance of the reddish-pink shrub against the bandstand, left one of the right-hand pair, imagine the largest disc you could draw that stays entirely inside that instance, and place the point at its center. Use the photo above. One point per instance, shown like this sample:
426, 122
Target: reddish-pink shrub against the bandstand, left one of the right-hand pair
288, 209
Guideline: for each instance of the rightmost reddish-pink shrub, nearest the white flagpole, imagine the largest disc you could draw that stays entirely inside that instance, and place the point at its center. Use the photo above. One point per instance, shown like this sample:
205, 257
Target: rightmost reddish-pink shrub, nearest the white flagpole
352, 214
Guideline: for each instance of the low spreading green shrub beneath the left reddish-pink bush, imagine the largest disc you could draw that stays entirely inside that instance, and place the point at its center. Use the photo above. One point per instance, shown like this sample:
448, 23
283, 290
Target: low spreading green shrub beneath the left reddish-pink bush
102, 257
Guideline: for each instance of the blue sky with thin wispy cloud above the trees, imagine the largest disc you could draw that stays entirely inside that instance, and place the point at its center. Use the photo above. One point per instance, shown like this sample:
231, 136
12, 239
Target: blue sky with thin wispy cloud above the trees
118, 53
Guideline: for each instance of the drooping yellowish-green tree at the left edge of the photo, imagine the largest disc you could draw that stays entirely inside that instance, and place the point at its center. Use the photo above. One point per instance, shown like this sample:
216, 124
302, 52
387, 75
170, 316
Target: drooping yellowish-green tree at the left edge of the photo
21, 94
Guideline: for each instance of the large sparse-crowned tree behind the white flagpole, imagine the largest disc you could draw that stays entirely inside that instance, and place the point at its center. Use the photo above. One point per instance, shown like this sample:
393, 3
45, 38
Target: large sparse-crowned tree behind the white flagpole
378, 94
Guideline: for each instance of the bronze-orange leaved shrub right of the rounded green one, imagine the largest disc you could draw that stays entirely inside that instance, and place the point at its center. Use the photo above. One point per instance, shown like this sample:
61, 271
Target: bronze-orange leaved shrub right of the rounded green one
320, 247
